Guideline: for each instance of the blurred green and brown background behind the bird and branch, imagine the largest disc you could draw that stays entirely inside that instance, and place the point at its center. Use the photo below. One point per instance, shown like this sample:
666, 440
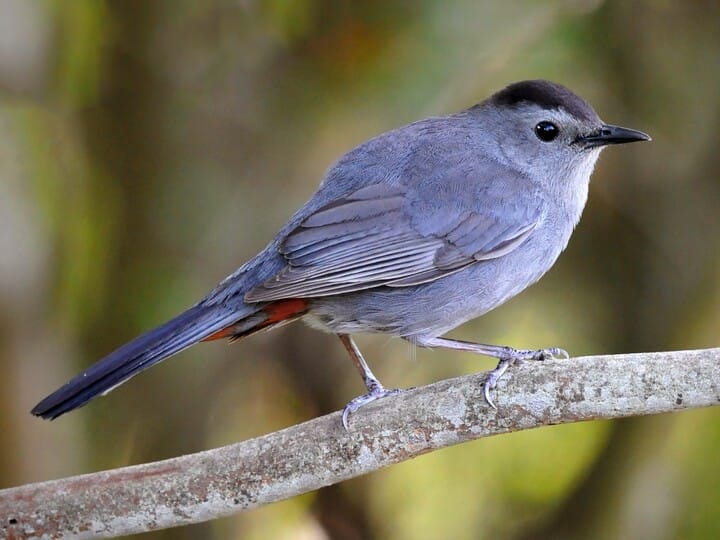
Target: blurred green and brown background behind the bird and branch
147, 149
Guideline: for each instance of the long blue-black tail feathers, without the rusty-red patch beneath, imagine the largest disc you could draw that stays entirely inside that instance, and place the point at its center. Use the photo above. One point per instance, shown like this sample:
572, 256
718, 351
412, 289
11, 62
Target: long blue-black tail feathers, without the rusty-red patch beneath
178, 334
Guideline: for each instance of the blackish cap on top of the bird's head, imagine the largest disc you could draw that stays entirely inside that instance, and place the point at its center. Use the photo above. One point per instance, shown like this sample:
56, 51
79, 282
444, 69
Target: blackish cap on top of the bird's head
546, 95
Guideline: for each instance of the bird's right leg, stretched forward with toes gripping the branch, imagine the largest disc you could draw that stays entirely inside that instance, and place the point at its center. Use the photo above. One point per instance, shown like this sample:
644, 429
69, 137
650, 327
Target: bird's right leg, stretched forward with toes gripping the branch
507, 357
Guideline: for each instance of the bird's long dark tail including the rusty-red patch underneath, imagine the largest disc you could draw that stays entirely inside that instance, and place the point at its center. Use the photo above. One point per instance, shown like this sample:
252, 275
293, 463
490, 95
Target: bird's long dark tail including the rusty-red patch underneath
199, 323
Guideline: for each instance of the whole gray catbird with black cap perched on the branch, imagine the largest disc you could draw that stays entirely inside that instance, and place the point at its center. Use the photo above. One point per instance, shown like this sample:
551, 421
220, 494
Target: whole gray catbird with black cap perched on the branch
410, 234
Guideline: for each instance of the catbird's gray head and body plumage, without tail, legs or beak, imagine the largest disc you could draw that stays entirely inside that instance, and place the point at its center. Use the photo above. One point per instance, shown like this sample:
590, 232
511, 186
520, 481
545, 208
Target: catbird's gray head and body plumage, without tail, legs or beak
423, 202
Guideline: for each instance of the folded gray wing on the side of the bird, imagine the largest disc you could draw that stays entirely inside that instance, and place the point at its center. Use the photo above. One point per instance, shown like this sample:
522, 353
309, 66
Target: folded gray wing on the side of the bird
369, 239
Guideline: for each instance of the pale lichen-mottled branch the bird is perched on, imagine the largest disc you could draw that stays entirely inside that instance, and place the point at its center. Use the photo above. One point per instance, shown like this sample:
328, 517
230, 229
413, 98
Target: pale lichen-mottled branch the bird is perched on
308, 456
